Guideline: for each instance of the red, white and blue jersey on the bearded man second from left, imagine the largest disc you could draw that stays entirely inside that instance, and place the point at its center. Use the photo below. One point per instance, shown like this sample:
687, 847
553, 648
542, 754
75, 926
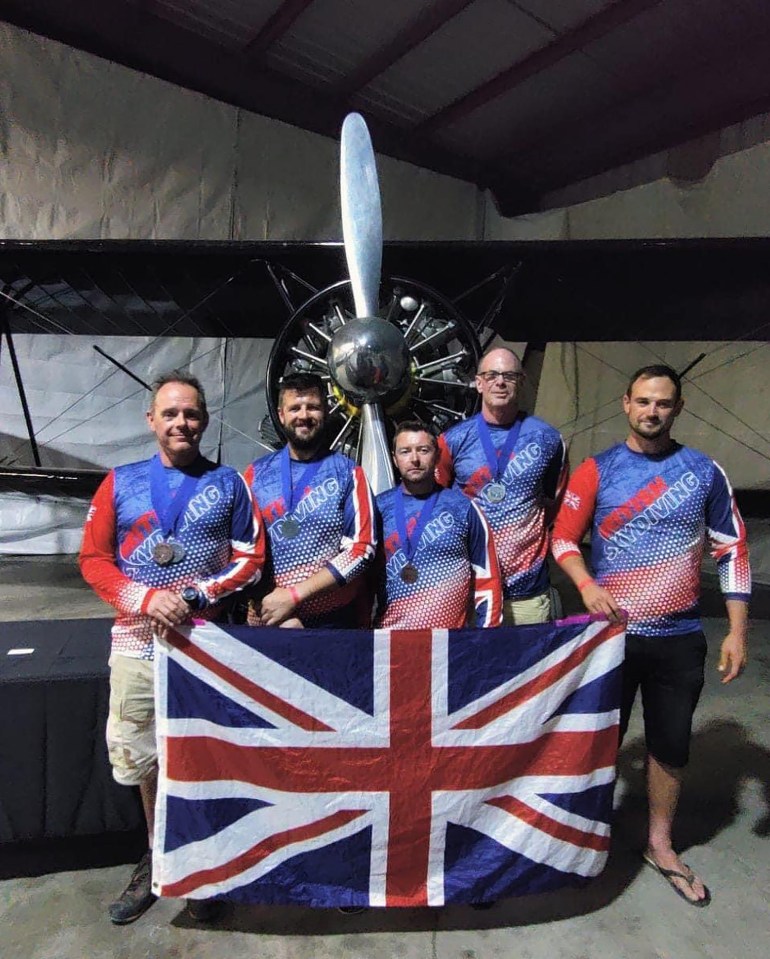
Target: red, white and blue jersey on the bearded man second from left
336, 532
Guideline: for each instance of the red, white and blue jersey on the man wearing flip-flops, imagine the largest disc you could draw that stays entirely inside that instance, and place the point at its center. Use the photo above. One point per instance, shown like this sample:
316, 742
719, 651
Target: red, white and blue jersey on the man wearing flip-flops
651, 516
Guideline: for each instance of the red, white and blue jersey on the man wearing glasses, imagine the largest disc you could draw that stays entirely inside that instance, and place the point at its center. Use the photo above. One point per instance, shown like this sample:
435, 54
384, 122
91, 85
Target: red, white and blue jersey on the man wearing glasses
534, 478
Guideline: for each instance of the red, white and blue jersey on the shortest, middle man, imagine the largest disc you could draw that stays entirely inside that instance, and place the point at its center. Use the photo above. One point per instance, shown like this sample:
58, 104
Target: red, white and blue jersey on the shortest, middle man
456, 563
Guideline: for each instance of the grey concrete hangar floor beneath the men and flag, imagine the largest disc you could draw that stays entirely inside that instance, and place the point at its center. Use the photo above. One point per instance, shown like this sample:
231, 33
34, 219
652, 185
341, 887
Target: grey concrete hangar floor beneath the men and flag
724, 825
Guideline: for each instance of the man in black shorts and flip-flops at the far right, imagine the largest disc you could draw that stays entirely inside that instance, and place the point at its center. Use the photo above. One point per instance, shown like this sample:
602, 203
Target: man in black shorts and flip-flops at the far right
653, 506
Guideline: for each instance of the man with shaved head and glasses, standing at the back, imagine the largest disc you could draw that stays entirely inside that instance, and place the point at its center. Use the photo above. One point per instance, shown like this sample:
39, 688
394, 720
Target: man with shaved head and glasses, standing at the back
514, 466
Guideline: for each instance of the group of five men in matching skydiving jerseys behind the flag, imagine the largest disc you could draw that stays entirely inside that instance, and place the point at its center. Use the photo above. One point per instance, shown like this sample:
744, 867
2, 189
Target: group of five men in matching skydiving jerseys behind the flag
462, 540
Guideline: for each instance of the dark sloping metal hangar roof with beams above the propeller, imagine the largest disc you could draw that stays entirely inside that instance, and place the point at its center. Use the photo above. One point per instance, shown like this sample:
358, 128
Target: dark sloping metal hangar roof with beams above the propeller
525, 96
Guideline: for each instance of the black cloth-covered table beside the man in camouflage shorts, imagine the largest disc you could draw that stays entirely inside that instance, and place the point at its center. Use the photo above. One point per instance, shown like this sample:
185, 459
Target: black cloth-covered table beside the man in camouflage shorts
55, 778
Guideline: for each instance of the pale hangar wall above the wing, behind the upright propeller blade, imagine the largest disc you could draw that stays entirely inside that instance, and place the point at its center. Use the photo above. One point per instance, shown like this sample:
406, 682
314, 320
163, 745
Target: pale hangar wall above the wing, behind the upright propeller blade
94, 150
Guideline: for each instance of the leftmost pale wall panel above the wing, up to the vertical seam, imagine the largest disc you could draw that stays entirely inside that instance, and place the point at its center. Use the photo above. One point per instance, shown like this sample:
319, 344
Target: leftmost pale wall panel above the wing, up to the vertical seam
93, 149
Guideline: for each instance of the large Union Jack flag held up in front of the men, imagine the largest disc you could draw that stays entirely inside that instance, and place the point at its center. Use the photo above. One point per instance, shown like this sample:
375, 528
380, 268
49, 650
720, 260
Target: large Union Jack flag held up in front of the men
391, 768
